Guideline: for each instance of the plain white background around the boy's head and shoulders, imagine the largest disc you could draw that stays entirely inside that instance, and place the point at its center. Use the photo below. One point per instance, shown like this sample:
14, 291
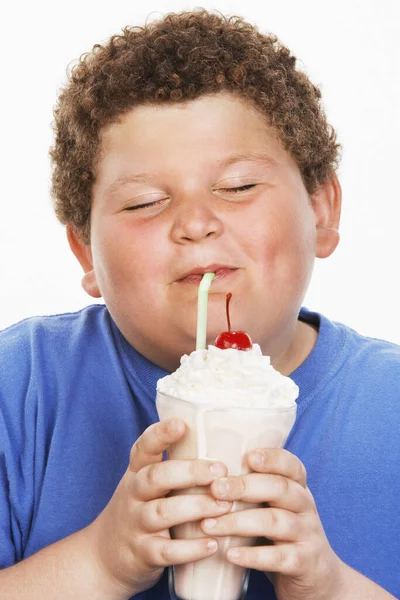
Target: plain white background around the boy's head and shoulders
350, 48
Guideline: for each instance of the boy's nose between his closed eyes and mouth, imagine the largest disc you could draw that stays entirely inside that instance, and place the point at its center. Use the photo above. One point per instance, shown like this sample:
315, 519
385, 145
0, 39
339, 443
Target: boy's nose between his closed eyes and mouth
195, 220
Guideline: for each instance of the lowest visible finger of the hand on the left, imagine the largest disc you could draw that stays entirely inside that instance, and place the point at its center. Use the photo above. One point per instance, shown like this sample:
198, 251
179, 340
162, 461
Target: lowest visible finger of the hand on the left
163, 552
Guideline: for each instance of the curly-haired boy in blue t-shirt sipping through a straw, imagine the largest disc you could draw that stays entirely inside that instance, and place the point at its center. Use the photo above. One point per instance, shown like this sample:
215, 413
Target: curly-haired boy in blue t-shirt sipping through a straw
189, 145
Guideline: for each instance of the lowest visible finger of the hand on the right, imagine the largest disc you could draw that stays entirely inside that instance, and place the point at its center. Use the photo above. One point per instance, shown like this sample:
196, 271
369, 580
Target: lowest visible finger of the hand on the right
288, 559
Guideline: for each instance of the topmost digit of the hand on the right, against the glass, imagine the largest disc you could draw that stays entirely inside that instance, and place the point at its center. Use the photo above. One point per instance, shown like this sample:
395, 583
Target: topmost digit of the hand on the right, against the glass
278, 461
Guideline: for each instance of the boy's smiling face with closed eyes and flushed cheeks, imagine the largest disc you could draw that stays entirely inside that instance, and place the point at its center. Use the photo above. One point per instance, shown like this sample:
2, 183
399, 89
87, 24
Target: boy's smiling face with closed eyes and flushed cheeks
187, 188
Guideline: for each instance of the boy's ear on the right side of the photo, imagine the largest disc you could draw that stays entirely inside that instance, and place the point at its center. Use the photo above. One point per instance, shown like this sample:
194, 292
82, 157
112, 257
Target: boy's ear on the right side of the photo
327, 203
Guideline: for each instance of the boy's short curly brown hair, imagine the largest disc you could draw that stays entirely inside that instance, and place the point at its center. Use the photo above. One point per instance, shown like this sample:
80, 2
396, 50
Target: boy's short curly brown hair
179, 58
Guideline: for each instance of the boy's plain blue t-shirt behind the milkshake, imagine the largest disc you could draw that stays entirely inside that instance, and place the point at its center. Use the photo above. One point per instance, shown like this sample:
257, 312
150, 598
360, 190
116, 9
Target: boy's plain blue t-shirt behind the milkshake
74, 396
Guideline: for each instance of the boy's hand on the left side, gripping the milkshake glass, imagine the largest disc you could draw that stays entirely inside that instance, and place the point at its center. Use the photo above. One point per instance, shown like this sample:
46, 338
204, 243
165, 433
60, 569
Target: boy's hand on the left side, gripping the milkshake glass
131, 535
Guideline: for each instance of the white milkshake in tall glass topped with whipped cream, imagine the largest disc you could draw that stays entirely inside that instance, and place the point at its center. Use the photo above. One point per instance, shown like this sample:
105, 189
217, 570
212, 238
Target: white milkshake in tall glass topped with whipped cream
232, 401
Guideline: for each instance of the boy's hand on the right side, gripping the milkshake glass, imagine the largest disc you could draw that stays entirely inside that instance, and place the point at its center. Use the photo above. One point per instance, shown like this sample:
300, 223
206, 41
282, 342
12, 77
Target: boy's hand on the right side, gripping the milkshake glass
301, 560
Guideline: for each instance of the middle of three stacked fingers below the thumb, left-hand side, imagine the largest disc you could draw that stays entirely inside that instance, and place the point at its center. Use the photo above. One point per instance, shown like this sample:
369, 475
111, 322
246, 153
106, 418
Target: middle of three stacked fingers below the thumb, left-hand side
163, 513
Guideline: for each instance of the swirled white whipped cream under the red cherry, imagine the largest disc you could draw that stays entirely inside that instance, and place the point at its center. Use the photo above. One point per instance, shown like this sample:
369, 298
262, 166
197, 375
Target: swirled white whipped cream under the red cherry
231, 378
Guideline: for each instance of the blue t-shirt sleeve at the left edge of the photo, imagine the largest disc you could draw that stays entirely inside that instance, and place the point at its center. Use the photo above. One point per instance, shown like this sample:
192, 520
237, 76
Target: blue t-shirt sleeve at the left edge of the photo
17, 439
